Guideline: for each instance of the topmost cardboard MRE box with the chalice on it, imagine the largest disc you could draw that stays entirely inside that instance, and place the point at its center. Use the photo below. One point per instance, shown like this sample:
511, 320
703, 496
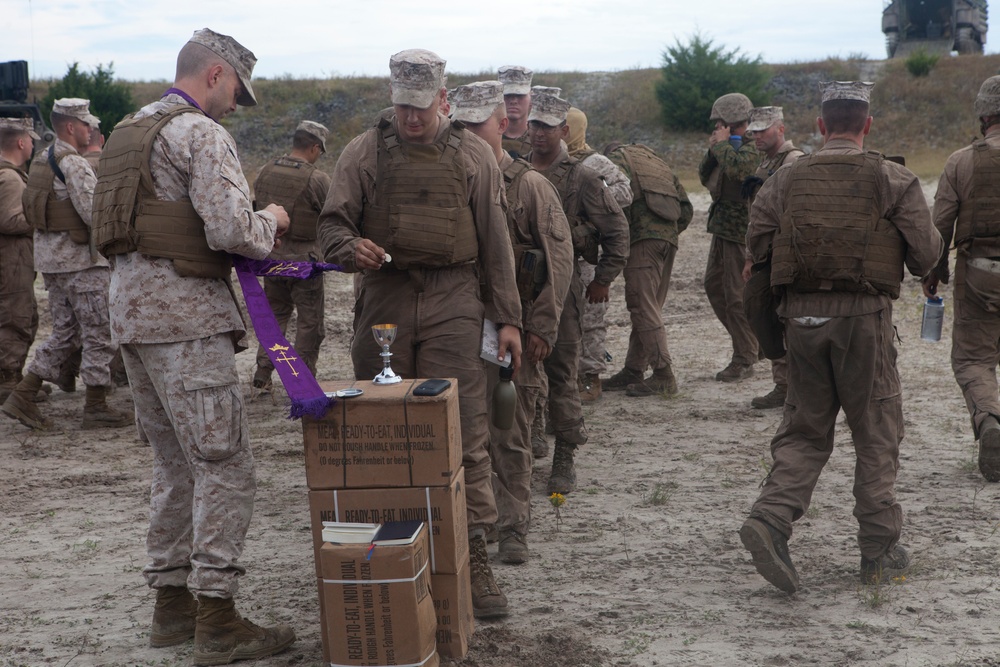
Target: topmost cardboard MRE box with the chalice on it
386, 437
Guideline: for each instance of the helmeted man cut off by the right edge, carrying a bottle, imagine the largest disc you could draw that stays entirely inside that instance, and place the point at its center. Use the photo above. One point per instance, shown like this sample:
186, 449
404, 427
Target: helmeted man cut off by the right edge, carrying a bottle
967, 209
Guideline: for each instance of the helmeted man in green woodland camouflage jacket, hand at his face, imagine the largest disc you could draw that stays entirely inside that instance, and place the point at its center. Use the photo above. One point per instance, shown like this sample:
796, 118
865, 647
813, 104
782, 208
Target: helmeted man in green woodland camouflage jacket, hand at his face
722, 171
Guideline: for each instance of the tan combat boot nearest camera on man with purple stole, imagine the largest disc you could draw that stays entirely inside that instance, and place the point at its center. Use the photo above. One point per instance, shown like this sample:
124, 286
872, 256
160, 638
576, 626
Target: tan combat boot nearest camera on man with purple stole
223, 636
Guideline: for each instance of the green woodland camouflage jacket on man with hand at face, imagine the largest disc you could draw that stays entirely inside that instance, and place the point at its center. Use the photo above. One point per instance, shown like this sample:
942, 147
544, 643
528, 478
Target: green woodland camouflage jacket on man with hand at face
726, 218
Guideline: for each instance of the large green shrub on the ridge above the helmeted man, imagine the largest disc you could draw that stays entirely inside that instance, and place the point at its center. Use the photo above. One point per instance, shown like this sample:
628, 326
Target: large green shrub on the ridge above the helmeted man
696, 74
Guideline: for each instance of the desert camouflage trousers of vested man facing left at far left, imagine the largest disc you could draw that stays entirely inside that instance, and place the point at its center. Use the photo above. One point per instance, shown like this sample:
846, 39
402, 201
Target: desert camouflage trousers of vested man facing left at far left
78, 302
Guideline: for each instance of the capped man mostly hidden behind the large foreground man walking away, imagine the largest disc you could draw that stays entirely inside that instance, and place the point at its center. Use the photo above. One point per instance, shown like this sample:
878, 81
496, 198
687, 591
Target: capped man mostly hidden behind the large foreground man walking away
767, 129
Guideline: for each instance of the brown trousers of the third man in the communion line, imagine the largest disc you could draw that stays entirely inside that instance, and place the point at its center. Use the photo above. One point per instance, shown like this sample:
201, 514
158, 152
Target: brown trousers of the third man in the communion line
562, 368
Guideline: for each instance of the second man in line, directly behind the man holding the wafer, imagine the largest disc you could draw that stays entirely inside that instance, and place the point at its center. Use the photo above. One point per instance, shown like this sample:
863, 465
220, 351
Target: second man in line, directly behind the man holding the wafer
543, 257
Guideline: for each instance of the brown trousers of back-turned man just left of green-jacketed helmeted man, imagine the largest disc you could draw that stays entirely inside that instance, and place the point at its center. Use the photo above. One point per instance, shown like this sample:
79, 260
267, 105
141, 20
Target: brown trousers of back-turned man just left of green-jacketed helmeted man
647, 280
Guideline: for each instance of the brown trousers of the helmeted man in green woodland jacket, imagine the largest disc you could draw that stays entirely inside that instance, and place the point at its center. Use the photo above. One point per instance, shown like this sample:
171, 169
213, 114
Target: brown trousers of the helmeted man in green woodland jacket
724, 288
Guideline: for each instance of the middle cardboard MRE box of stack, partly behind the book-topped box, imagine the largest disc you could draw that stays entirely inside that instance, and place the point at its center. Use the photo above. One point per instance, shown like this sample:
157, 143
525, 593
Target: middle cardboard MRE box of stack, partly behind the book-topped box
441, 507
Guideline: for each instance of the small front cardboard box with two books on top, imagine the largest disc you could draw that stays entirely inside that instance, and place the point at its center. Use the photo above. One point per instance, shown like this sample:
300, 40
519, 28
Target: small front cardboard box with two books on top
377, 607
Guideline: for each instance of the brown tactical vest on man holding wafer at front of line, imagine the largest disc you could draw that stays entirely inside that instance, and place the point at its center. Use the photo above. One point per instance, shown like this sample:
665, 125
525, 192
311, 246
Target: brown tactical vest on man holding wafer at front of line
421, 213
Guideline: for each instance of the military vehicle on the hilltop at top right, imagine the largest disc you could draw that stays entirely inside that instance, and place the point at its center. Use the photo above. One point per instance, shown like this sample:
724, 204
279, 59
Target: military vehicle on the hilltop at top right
934, 26
